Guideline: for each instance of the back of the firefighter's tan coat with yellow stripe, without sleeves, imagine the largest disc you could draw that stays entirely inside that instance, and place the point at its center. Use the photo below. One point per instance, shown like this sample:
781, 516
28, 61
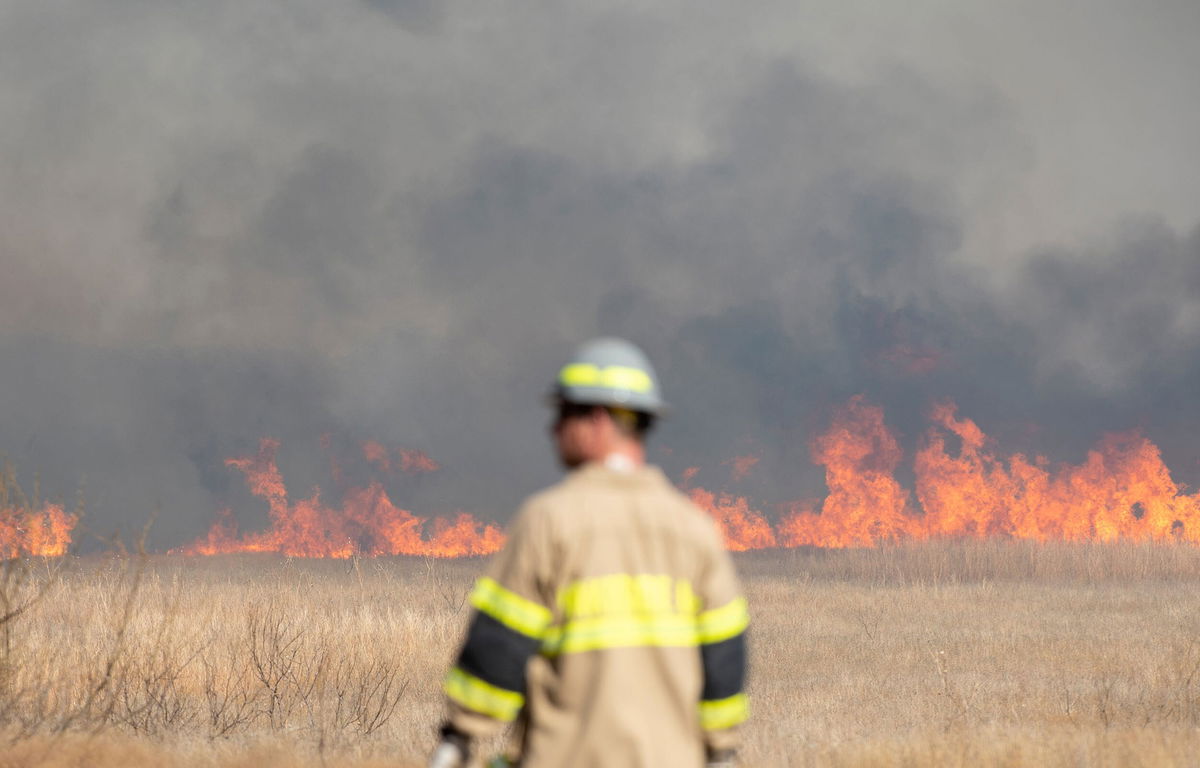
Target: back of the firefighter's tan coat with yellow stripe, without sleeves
632, 565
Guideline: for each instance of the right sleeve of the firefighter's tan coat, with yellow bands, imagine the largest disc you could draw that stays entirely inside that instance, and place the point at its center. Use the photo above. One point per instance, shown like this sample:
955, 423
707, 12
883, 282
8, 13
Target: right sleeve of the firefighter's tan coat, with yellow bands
722, 633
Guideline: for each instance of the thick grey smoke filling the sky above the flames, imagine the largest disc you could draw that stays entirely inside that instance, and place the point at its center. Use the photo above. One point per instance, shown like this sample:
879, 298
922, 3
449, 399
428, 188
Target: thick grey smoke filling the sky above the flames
391, 221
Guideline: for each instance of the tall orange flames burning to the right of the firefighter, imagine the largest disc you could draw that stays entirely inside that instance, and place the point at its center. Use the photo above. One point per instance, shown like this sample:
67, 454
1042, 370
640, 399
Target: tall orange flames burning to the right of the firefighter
1121, 491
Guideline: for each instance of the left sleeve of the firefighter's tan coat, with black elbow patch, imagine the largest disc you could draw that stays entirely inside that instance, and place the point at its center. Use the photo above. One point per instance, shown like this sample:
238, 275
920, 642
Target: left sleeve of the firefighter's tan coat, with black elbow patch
511, 613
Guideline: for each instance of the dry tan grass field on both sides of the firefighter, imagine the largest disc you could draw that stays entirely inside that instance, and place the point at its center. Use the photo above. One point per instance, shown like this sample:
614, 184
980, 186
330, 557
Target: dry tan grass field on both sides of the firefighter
934, 655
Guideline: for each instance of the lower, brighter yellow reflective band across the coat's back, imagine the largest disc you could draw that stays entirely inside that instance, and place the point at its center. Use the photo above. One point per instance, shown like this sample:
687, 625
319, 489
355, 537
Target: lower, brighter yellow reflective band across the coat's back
599, 633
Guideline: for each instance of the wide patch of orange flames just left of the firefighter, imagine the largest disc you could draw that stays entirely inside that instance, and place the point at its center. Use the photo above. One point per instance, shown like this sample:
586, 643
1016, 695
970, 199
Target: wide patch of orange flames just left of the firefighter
365, 524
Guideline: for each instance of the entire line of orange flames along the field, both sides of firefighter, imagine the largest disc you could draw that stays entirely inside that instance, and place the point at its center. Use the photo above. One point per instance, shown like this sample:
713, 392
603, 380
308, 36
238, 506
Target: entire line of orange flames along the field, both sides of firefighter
1121, 491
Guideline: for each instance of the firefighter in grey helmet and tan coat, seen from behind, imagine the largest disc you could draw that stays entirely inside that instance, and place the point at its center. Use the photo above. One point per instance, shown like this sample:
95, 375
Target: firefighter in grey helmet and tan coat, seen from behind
611, 627
